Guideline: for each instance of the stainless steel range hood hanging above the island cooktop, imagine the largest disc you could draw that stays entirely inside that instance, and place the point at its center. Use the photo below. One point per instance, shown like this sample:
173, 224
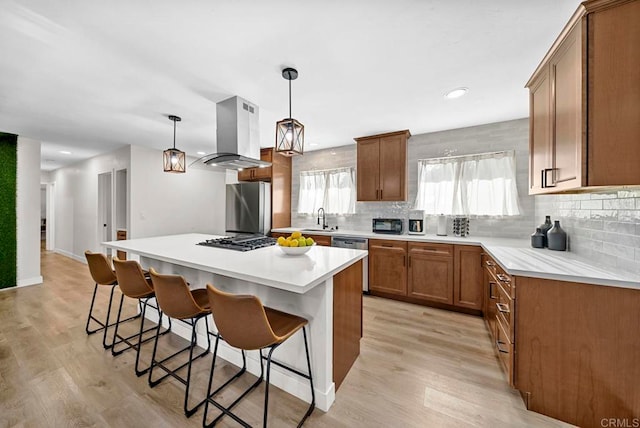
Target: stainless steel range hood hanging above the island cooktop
238, 137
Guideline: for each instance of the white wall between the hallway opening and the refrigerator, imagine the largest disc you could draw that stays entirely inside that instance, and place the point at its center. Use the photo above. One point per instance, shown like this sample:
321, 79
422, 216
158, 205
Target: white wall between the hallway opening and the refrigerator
164, 204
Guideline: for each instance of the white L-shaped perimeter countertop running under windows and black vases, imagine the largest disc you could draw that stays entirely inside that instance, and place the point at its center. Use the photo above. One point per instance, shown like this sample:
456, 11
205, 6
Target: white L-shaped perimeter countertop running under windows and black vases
516, 256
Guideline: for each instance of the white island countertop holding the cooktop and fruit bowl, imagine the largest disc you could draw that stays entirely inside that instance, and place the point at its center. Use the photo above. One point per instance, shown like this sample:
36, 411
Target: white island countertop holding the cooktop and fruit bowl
267, 266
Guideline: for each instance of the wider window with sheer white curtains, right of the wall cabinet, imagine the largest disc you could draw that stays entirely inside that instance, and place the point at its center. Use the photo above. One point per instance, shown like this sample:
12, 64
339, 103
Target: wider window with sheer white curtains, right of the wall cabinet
483, 185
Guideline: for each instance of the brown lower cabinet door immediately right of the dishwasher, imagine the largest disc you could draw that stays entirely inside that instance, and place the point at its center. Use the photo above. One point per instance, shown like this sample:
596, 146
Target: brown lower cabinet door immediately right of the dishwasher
387, 267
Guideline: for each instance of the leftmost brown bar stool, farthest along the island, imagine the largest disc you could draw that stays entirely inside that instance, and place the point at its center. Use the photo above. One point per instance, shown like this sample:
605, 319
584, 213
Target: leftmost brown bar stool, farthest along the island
102, 274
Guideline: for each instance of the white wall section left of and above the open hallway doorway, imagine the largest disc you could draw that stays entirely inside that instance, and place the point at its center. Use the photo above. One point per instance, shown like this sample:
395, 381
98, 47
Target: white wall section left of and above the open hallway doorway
76, 202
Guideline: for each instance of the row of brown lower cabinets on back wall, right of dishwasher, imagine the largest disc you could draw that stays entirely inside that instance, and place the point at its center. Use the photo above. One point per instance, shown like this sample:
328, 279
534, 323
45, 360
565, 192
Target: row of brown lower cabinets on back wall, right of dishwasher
443, 275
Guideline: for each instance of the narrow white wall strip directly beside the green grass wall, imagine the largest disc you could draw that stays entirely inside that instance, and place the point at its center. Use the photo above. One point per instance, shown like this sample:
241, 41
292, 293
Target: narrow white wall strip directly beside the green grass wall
28, 212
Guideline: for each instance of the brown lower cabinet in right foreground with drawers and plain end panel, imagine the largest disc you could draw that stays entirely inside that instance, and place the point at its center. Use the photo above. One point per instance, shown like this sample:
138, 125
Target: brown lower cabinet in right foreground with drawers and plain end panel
571, 349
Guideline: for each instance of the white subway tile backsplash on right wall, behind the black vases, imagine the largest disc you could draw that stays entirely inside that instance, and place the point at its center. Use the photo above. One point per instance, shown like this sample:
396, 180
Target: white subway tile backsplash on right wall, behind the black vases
603, 226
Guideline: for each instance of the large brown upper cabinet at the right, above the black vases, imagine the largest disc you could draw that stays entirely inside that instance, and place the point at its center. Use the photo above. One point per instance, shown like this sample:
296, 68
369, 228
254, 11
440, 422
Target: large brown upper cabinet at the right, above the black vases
585, 102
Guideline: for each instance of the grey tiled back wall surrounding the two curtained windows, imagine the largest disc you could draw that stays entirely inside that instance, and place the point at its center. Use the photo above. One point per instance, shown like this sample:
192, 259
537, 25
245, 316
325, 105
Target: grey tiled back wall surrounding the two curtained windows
510, 135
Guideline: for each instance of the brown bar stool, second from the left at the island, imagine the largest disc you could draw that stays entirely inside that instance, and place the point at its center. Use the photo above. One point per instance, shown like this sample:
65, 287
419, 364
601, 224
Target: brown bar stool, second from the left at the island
134, 284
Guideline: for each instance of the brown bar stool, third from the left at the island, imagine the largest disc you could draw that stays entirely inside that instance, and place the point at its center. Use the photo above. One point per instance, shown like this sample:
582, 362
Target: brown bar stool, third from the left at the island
177, 301
